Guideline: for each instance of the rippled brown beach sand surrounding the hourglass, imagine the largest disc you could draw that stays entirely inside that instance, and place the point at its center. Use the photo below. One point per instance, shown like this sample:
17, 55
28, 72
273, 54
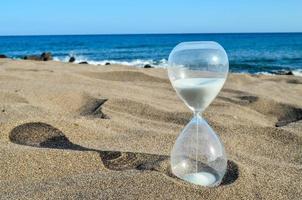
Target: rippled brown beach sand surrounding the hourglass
105, 132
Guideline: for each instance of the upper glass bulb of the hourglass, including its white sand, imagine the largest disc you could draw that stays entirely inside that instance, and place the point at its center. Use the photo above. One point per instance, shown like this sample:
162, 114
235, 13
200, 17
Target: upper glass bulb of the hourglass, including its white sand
197, 71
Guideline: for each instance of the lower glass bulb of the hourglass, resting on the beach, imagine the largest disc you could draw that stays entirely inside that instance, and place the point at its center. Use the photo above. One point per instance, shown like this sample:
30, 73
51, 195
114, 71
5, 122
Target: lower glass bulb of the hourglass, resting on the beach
198, 155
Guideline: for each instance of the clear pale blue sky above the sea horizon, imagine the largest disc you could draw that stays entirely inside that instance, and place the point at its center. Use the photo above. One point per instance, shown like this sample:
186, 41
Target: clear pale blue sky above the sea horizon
34, 17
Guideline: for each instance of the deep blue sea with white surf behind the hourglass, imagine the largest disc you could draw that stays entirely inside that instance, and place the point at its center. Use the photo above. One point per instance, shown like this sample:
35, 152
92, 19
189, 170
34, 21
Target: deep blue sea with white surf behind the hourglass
248, 53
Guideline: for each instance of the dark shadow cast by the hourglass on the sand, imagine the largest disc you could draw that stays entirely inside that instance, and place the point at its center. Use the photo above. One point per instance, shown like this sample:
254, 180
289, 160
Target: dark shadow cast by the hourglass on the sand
42, 135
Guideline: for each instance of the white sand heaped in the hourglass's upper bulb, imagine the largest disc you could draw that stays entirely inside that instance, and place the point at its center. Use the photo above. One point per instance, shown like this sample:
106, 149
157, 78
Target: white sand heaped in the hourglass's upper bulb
198, 93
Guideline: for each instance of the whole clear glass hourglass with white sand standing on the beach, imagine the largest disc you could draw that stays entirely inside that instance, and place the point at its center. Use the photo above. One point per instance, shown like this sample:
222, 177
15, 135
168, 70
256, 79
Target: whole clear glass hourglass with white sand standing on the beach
197, 71
